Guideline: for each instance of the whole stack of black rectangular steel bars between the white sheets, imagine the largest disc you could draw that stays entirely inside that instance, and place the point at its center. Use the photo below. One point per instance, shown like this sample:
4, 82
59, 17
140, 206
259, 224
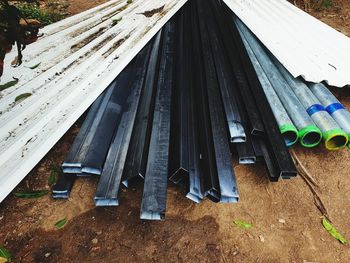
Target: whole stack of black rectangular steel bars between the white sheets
187, 102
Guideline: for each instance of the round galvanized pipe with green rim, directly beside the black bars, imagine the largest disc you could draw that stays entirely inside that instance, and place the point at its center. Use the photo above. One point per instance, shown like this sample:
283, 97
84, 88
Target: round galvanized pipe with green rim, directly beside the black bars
287, 128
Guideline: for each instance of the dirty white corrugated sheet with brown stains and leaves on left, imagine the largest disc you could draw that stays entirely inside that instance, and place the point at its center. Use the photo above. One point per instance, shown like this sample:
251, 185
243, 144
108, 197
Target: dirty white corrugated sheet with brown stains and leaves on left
79, 57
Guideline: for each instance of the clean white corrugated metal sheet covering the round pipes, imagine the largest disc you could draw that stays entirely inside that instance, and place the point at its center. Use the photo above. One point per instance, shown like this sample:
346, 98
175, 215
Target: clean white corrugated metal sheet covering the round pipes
304, 45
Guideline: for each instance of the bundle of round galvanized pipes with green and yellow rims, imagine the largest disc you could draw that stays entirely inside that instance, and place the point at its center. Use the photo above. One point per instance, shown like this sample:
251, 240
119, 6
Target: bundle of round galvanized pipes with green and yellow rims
308, 112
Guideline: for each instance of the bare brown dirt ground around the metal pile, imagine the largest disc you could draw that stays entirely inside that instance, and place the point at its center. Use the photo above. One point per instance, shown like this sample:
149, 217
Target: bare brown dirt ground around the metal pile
286, 223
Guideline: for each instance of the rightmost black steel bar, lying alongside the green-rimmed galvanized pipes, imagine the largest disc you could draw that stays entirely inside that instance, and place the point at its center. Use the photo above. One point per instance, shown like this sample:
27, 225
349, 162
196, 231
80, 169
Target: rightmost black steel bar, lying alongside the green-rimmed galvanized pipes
280, 156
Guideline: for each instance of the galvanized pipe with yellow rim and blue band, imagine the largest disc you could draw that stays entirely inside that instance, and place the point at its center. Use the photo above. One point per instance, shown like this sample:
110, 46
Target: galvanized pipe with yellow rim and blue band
334, 137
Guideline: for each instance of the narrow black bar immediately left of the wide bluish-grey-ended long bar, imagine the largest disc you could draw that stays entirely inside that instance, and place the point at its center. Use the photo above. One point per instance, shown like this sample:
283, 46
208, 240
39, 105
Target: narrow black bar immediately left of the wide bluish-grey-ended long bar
210, 182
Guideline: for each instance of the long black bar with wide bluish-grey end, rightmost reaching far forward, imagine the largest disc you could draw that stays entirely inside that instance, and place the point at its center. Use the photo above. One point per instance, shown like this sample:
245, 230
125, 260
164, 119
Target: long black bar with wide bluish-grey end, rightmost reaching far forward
221, 150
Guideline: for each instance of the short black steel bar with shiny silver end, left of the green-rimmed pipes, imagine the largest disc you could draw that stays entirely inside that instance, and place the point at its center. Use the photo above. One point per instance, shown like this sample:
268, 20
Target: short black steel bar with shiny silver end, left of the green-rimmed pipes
226, 81
